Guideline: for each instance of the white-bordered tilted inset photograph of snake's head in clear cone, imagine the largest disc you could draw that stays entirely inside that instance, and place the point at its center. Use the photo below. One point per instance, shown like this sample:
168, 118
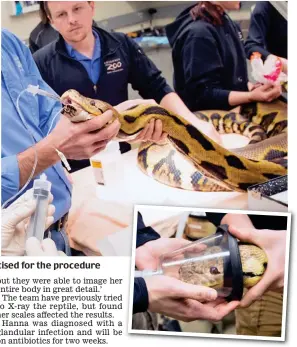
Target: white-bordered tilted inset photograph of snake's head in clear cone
209, 273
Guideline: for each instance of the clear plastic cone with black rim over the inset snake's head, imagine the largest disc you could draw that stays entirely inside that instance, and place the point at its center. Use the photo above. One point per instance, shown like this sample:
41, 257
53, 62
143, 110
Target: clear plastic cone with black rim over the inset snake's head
213, 261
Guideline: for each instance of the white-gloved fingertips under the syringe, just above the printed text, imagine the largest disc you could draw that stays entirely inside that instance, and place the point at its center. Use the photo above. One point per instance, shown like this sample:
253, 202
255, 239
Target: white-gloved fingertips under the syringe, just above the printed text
45, 248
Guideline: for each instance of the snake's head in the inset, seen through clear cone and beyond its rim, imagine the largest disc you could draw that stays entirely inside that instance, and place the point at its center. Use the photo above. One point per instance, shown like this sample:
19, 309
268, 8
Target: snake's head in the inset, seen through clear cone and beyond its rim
210, 272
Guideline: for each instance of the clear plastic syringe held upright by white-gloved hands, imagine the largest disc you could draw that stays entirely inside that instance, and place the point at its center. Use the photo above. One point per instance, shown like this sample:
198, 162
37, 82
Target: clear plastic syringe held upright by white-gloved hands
41, 191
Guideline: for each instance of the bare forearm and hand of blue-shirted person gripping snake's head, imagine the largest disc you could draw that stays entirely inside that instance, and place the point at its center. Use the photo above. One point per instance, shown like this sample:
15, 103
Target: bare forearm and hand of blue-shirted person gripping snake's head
75, 141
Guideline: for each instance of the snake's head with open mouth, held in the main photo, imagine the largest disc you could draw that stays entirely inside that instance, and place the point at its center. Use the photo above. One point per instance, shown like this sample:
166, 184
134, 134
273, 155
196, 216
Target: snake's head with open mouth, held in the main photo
80, 108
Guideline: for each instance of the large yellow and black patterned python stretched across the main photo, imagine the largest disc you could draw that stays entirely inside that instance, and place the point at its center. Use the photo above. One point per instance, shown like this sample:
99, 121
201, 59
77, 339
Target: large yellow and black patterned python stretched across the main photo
212, 167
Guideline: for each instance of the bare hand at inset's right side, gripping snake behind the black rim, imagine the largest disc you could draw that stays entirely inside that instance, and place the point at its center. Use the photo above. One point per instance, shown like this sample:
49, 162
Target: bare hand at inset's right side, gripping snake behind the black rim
273, 243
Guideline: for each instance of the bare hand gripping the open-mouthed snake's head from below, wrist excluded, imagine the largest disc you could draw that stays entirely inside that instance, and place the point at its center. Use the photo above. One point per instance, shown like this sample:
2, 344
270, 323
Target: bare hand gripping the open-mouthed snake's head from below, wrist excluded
85, 139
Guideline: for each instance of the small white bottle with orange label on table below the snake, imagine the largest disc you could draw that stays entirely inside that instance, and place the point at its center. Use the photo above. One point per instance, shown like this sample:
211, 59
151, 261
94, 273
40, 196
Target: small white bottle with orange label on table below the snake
104, 163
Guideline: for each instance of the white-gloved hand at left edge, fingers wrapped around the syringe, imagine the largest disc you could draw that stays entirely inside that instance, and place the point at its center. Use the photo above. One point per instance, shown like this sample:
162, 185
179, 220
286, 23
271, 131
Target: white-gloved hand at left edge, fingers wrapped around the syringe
14, 226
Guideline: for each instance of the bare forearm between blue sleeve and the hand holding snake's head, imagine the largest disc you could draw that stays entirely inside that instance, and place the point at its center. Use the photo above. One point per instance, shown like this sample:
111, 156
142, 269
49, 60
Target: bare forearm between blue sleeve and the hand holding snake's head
46, 157
